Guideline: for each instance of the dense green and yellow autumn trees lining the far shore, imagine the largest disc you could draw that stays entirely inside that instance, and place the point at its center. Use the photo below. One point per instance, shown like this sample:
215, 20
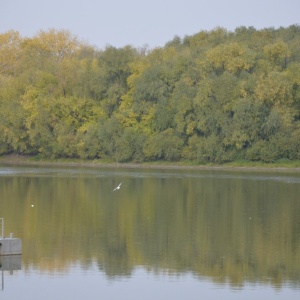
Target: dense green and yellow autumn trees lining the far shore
213, 97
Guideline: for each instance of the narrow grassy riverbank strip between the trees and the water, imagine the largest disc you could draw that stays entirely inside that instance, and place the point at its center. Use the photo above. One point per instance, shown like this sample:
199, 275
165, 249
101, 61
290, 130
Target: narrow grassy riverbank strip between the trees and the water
14, 159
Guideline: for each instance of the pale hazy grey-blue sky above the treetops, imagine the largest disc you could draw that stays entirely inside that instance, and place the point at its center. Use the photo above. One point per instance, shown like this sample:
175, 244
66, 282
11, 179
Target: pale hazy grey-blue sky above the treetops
139, 23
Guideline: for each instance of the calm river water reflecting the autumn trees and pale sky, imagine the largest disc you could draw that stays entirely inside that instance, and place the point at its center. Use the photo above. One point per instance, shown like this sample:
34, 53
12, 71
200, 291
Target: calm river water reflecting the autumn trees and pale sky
165, 234
